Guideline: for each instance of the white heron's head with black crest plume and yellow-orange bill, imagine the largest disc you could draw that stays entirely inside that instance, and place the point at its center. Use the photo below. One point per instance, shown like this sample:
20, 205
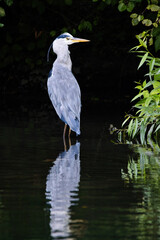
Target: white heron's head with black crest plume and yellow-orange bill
63, 41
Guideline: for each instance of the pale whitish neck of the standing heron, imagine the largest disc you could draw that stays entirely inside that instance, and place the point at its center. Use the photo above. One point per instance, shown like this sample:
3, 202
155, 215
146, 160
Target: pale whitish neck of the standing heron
63, 57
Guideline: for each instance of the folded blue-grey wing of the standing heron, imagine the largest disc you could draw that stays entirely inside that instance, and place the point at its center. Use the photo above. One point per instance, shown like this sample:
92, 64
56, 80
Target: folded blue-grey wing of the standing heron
64, 92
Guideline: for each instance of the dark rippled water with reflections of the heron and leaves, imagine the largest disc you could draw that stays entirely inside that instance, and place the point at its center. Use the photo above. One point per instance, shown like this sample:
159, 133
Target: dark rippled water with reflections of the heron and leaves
94, 190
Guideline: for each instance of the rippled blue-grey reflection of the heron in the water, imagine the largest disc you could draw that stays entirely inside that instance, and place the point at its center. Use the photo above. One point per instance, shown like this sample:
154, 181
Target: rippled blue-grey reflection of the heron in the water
62, 190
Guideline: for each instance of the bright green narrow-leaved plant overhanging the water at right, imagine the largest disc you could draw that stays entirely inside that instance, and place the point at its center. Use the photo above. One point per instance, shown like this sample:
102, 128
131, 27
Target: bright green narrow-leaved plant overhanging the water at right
146, 122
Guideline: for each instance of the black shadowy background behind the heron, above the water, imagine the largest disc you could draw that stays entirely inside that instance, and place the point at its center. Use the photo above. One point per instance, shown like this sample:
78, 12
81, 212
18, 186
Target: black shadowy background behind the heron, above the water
104, 68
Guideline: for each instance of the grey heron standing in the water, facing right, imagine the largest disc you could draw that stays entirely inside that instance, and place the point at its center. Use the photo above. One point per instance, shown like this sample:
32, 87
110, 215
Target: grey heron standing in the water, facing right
63, 89
